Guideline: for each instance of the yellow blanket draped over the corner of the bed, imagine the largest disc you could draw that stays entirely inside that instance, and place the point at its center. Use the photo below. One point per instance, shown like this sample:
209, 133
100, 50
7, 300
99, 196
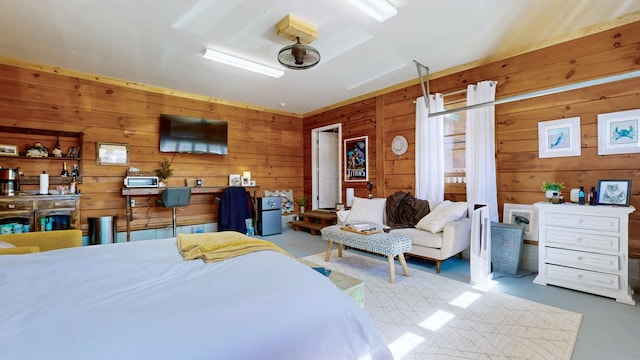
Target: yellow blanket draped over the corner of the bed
223, 245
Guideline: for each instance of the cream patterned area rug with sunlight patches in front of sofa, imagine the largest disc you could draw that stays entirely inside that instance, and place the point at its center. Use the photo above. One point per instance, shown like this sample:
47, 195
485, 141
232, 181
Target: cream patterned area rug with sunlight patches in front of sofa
428, 316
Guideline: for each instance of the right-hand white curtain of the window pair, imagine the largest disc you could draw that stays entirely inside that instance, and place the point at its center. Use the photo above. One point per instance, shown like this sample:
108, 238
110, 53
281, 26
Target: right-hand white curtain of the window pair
480, 149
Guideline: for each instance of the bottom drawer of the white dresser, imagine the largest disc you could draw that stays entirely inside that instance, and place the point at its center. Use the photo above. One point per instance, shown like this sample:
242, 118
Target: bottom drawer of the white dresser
581, 279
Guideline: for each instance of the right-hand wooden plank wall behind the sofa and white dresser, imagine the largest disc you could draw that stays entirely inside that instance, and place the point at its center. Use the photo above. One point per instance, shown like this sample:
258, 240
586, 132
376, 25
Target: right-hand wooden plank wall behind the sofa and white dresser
519, 170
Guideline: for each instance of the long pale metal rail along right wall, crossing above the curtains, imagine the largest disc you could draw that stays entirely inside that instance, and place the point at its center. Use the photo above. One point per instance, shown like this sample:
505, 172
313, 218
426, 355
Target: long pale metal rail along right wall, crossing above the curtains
555, 90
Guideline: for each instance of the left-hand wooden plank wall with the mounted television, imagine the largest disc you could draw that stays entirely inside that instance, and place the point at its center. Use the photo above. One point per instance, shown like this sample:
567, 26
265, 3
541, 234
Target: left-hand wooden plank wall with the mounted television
267, 144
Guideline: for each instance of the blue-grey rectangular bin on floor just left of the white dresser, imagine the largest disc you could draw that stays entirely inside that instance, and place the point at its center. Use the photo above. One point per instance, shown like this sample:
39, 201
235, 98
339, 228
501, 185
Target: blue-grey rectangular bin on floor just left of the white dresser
506, 247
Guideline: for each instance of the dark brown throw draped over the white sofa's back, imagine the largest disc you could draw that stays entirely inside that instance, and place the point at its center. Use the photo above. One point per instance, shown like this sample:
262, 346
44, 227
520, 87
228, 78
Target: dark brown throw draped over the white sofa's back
404, 210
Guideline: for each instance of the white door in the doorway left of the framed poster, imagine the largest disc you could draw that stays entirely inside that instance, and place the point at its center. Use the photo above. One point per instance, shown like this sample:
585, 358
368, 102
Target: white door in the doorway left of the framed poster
328, 169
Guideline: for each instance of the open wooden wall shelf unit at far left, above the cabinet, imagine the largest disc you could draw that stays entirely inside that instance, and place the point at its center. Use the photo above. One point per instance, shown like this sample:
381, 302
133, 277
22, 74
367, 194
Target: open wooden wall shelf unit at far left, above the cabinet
32, 167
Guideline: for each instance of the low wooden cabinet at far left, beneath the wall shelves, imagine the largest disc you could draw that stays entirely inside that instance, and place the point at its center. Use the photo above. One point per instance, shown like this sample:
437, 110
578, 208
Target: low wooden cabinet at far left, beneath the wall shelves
32, 209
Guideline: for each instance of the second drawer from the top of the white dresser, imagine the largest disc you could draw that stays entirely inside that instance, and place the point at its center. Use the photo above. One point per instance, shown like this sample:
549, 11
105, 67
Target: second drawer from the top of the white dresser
580, 240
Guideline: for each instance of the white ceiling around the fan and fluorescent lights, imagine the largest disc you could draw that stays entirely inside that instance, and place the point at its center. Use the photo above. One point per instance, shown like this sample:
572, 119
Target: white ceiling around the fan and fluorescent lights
161, 42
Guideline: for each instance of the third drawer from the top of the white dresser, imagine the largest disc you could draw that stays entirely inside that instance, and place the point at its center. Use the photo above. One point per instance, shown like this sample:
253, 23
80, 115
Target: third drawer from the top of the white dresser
583, 260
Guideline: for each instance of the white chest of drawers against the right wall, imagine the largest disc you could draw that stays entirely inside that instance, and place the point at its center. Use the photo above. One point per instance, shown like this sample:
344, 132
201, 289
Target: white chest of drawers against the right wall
585, 248
